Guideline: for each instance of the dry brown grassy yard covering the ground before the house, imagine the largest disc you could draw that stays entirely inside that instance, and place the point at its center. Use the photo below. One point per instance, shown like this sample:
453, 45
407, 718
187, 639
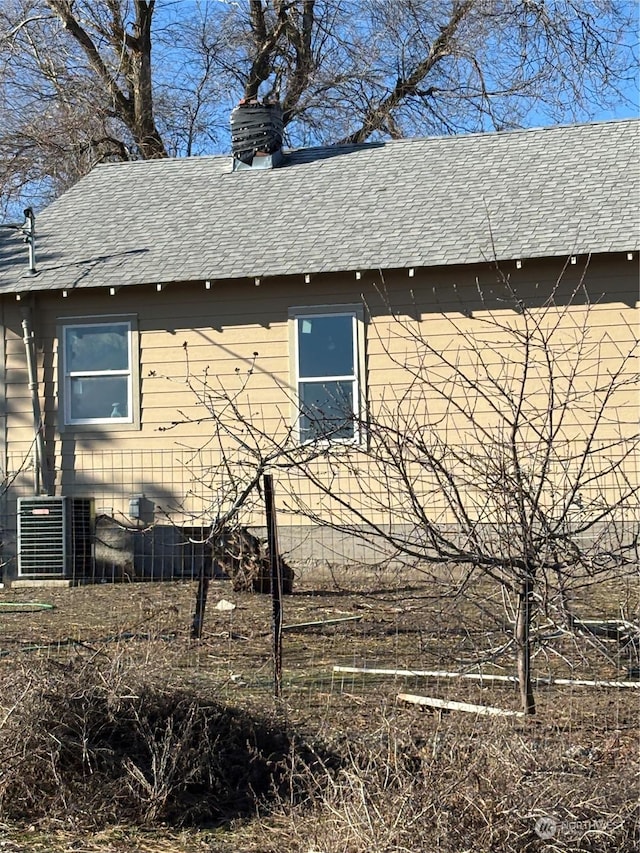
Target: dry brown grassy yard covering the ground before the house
119, 734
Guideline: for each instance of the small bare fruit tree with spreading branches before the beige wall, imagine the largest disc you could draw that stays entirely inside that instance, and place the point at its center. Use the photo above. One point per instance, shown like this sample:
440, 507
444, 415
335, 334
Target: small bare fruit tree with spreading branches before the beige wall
506, 445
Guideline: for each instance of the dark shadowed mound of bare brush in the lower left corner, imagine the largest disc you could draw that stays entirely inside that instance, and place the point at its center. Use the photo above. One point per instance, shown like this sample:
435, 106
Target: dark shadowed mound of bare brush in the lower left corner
92, 746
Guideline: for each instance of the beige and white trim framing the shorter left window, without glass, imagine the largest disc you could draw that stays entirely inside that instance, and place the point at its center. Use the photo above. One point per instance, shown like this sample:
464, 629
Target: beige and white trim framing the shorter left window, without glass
132, 422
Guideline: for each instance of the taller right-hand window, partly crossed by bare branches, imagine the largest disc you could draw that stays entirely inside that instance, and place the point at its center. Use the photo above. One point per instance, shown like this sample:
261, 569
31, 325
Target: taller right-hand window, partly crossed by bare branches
328, 355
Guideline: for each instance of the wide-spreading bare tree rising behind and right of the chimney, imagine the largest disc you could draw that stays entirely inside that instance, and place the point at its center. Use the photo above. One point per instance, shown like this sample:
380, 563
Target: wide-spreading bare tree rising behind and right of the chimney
350, 70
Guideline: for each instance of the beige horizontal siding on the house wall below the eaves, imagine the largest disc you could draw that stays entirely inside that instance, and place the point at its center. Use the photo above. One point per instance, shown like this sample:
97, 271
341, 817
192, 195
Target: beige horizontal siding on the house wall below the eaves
223, 328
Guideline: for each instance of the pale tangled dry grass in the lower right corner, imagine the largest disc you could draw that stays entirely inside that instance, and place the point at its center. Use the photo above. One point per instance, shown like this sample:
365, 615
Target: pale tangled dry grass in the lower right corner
463, 785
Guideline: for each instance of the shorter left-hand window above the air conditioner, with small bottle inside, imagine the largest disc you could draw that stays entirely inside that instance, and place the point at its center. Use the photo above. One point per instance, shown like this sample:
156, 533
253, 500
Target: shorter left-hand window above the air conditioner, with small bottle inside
97, 372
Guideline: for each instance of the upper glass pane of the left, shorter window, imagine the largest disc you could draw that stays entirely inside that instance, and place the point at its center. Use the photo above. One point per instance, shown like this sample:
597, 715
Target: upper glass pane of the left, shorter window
103, 347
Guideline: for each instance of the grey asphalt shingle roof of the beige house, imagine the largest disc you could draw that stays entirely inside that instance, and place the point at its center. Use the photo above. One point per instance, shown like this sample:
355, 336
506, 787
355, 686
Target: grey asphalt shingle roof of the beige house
409, 203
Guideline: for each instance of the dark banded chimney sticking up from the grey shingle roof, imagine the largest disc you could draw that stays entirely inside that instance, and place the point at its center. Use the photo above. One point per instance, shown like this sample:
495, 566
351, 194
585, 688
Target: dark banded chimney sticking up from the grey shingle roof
256, 135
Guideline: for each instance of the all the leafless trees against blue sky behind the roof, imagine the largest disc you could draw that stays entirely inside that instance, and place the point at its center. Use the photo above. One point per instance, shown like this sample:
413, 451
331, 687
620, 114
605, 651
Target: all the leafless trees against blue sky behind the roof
82, 81
